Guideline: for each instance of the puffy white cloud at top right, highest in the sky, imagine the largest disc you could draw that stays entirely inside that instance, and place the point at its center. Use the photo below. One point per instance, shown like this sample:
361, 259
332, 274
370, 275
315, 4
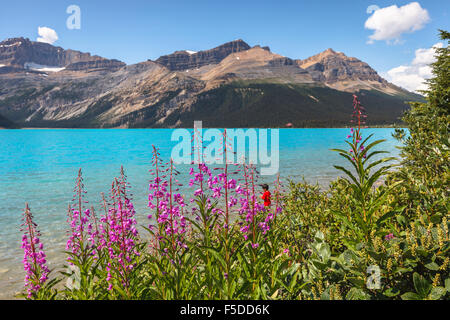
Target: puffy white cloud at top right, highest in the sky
391, 22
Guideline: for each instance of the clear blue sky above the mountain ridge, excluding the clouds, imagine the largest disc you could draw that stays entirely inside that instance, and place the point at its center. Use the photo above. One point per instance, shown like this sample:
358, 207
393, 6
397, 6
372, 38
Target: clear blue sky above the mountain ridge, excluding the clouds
134, 30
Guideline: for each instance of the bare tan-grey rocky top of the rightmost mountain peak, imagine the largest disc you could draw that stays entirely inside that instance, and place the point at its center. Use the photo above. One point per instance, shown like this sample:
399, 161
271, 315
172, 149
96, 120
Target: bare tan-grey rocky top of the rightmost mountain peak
331, 66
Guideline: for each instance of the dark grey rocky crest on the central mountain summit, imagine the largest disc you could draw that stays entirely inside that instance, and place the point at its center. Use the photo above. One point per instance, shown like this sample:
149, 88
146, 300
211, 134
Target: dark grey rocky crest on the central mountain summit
183, 60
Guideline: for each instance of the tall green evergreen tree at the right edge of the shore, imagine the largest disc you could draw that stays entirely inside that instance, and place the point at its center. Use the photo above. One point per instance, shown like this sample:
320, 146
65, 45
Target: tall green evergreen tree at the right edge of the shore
425, 155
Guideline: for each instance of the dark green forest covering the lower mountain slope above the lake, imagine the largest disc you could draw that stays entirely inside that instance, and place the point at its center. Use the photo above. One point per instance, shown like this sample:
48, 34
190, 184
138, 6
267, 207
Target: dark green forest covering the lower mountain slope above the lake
243, 104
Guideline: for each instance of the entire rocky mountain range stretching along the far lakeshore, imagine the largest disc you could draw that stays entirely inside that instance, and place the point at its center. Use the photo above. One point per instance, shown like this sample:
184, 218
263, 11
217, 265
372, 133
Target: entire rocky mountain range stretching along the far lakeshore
232, 85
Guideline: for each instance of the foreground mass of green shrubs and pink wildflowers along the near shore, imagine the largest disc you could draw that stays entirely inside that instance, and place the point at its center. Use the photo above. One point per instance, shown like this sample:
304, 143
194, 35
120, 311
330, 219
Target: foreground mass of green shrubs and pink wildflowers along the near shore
377, 233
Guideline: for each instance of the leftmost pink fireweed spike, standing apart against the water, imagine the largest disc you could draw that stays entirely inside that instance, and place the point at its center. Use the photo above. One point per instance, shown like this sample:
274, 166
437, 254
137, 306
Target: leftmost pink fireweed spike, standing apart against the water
34, 259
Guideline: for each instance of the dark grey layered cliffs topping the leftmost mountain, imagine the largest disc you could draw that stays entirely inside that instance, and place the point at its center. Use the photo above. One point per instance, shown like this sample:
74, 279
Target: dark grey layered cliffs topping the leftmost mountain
18, 53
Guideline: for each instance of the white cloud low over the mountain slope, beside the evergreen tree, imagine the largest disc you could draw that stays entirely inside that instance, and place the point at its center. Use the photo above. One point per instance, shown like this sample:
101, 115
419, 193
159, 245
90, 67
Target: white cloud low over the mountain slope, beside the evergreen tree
412, 77
